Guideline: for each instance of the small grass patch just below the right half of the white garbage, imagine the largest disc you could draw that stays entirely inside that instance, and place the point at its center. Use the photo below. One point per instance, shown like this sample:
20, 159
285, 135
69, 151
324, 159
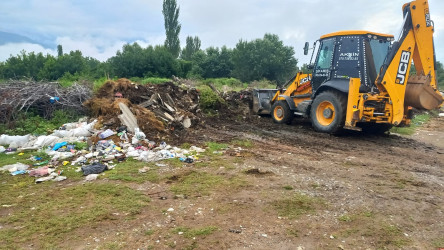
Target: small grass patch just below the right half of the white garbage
129, 171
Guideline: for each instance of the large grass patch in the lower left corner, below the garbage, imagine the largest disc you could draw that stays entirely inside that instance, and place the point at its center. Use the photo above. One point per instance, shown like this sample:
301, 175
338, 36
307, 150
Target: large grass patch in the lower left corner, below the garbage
44, 213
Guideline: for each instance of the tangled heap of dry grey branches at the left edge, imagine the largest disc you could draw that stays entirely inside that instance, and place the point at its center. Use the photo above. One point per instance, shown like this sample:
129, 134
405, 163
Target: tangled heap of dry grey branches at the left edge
16, 96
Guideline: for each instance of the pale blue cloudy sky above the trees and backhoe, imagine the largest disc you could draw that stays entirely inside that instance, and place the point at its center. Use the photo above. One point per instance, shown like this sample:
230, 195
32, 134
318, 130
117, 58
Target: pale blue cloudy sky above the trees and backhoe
99, 28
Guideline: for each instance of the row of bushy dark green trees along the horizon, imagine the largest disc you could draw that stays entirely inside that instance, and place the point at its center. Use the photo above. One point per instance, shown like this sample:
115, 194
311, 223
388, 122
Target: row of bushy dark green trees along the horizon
250, 60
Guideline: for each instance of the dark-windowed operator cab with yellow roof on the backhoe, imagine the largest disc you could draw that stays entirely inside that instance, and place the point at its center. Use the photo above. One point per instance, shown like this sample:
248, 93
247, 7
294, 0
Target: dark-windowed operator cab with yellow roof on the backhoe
349, 54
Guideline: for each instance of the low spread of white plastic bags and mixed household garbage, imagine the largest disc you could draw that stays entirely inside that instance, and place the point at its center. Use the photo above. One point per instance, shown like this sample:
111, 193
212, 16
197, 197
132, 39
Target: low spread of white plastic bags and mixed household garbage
92, 151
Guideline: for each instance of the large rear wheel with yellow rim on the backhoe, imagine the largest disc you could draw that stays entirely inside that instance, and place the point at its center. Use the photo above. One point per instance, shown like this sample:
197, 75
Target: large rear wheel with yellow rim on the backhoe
328, 111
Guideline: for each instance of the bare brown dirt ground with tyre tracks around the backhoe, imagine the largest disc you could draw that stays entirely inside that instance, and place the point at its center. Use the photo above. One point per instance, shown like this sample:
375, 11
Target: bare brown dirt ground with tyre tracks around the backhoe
290, 188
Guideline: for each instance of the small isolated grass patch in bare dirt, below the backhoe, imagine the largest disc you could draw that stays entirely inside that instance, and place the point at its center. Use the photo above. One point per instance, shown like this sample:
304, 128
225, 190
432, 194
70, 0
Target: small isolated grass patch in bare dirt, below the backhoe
296, 205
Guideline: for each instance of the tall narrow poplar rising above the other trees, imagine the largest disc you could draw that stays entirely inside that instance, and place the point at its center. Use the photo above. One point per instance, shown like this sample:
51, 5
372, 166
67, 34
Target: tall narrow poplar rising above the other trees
172, 26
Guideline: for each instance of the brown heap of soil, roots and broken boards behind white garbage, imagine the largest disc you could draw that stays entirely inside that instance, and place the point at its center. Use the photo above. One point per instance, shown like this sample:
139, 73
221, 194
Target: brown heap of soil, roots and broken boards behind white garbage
157, 110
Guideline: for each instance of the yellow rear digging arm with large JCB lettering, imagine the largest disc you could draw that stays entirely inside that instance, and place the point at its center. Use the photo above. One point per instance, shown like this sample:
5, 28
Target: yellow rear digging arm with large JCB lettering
415, 43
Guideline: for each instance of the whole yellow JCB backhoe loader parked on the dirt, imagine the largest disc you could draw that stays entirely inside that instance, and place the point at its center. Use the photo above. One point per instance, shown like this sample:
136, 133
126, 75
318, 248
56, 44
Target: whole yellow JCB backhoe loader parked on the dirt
361, 79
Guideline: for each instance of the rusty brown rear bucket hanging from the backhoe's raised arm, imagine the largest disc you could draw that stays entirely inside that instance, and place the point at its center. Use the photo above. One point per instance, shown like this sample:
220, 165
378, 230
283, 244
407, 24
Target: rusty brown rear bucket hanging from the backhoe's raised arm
419, 94
